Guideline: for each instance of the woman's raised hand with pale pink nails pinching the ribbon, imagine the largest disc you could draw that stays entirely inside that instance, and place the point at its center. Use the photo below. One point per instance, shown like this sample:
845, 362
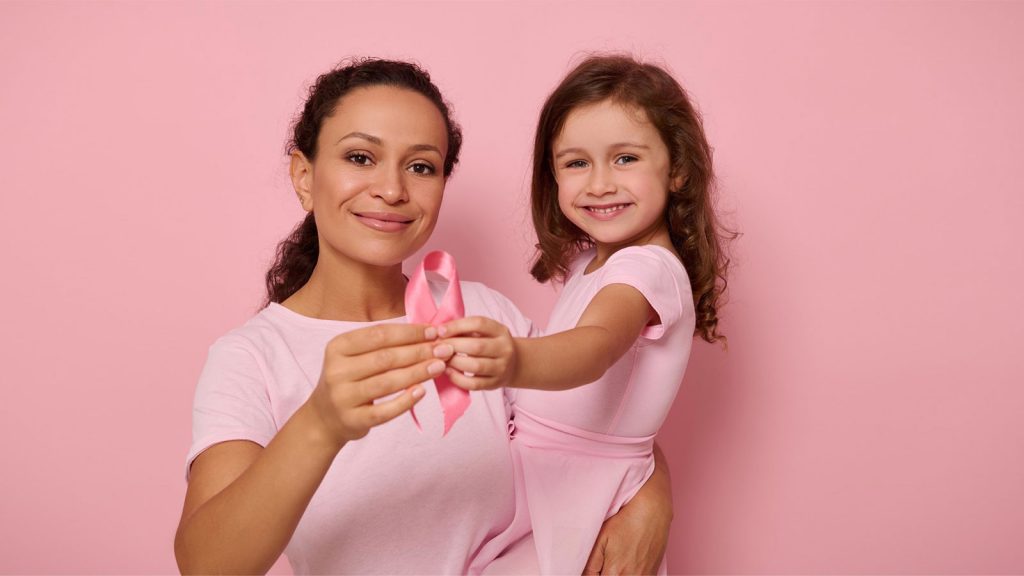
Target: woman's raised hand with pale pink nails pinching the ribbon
363, 366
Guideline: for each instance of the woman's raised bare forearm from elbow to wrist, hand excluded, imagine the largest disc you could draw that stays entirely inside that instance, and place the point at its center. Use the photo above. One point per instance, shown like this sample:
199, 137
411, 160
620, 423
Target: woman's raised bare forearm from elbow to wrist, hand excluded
245, 528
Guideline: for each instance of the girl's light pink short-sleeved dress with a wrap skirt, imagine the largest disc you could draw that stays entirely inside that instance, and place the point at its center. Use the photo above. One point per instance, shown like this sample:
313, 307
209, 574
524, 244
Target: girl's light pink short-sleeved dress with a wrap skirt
581, 455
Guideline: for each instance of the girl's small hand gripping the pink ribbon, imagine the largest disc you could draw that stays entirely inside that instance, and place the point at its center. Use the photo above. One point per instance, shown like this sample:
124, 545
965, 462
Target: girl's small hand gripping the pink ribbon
486, 356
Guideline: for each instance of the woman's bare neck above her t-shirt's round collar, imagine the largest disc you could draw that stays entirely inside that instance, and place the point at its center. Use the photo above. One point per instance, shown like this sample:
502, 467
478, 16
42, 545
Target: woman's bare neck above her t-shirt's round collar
345, 290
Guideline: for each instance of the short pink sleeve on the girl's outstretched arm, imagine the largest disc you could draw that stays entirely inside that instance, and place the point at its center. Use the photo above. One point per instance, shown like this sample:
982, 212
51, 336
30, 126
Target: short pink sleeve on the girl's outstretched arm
651, 272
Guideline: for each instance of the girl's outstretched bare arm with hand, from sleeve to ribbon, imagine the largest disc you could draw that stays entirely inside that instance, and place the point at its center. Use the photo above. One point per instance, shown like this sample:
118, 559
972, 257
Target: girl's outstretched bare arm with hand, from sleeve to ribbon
609, 327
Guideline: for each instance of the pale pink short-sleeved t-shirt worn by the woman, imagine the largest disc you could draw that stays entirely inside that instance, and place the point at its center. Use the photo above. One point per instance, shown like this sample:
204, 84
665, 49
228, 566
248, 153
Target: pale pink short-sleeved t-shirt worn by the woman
397, 502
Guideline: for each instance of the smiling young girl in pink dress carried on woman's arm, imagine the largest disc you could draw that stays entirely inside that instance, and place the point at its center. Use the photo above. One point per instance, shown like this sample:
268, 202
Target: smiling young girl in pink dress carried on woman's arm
622, 205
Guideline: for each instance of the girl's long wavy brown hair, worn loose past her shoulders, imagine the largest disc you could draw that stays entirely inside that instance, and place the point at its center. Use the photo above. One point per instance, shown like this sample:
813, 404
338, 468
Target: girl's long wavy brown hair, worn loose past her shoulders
695, 230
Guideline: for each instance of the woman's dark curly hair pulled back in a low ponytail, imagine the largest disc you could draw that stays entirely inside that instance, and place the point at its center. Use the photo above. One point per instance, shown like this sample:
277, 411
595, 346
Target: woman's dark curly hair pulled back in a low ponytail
296, 256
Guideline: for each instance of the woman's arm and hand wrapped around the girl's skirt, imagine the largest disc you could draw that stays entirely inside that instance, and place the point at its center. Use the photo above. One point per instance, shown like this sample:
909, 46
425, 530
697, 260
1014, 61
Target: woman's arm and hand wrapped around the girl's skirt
633, 542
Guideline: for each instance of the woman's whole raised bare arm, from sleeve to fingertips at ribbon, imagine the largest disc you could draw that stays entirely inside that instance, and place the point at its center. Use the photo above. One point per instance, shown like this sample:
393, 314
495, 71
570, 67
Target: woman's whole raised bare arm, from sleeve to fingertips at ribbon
244, 502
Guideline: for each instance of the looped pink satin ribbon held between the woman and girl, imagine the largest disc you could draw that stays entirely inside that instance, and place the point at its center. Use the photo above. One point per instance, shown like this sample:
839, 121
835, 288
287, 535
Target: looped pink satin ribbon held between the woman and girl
420, 309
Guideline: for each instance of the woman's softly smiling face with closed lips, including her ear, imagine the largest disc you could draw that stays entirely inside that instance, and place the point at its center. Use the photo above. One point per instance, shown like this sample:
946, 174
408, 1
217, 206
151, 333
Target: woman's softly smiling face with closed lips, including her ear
376, 185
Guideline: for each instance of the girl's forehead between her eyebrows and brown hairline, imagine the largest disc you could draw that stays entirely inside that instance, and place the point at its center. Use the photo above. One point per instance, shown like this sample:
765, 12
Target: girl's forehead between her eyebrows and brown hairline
605, 120
